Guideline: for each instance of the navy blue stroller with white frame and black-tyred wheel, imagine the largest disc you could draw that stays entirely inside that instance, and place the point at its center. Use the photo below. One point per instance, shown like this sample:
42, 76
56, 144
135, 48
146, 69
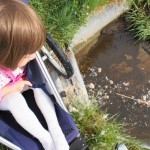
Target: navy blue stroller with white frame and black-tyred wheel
13, 135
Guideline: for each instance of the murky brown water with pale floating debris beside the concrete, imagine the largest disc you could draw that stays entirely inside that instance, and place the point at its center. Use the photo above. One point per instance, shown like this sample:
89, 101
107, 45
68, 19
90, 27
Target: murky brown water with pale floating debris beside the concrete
115, 65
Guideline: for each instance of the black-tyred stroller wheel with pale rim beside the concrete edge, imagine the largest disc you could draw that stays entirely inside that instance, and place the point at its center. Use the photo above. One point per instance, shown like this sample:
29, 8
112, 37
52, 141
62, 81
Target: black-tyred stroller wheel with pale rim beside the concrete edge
57, 58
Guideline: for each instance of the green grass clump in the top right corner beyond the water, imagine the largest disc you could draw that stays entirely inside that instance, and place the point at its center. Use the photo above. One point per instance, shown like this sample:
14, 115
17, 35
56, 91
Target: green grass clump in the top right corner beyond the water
138, 20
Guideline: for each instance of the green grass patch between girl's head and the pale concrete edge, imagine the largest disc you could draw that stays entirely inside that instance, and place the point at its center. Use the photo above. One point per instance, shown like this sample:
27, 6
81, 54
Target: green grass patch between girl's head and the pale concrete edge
62, 18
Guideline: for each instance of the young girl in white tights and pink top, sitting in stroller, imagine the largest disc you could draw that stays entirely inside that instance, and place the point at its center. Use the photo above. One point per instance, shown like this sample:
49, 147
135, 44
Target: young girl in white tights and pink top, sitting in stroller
21, 35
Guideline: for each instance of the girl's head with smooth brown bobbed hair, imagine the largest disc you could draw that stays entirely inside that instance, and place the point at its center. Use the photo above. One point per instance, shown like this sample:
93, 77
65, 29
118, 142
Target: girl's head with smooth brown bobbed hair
21, 32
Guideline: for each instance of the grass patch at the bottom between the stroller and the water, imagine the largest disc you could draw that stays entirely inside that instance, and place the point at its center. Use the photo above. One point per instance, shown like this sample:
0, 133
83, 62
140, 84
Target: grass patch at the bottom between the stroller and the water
100, 130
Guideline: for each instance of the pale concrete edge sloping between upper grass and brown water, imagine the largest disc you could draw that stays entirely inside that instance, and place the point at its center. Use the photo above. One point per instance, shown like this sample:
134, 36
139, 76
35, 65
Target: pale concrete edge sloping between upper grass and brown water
95, 23
